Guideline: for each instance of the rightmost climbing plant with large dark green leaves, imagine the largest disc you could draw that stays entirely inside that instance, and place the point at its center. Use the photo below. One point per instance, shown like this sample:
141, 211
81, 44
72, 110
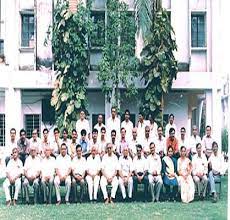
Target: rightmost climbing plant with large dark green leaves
158, 64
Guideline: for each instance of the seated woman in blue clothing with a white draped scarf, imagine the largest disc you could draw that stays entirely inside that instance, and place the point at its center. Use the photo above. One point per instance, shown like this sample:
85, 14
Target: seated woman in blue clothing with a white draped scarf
169, 173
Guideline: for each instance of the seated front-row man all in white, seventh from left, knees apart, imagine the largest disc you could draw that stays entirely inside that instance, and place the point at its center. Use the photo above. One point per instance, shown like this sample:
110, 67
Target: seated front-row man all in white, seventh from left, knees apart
109, 168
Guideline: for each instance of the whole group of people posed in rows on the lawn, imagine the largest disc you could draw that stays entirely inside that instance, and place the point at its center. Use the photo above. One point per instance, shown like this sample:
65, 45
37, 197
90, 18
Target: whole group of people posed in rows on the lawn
116, 155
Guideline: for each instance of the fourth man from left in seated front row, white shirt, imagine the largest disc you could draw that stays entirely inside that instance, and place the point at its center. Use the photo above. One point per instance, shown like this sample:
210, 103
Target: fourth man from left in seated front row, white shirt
63, 170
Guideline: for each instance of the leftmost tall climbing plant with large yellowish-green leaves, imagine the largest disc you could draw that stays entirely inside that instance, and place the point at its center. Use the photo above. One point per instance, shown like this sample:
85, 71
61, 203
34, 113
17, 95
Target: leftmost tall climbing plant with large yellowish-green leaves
71, 60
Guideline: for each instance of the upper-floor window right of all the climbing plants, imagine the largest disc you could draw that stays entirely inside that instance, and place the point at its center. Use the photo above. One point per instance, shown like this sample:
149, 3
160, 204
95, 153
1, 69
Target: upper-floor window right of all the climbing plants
198, 30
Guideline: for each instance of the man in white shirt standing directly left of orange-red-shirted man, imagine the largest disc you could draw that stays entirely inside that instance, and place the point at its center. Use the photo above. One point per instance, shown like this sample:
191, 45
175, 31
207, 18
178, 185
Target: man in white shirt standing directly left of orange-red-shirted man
160, 142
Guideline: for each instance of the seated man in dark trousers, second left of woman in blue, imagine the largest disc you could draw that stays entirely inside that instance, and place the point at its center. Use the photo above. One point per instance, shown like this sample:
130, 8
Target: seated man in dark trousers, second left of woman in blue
140, 172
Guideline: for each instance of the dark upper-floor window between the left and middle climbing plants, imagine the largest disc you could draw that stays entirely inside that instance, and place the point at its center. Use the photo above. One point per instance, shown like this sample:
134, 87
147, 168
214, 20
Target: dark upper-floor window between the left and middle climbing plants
98, 34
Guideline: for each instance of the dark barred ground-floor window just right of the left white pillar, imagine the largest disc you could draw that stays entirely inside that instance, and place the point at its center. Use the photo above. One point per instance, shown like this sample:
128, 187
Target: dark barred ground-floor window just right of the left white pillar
32, 122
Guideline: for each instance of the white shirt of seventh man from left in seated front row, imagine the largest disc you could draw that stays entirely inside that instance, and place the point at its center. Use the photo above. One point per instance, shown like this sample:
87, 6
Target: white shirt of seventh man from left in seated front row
109, 165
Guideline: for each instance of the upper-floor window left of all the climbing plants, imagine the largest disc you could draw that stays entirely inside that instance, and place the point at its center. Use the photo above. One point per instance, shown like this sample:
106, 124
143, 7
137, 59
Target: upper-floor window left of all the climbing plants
27, 39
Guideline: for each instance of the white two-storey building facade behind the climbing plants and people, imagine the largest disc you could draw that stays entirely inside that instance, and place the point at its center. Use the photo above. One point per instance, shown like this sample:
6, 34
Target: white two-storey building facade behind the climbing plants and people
26, 81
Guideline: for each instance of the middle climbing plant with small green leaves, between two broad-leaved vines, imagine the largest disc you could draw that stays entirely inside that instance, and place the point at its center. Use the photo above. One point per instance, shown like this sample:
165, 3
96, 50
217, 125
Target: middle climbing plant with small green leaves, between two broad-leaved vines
119, 64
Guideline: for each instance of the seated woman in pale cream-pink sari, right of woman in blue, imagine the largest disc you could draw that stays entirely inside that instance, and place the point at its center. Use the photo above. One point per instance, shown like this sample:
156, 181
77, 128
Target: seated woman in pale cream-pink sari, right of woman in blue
185, 180
